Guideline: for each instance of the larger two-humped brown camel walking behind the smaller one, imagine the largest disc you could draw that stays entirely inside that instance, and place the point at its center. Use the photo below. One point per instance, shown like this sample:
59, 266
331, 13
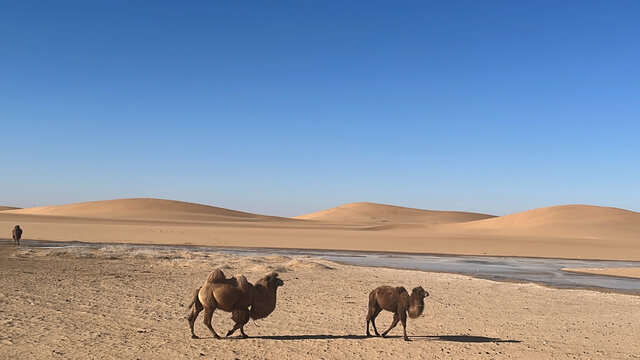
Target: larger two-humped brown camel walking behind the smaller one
233, 295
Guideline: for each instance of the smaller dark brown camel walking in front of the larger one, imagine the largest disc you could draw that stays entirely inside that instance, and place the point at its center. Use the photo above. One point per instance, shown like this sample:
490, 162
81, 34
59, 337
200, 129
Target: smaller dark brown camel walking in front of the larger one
399, 302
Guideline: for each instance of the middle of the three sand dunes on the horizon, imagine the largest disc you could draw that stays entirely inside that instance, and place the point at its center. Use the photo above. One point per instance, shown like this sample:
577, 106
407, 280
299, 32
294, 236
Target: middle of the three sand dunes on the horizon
380, 213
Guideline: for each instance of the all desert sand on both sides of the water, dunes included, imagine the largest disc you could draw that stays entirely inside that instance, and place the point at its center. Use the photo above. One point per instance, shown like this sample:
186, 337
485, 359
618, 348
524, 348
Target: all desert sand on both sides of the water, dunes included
119, 301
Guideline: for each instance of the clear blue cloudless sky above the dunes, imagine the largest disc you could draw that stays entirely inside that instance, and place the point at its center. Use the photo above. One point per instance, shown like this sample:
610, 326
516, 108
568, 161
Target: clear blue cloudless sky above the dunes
291, 107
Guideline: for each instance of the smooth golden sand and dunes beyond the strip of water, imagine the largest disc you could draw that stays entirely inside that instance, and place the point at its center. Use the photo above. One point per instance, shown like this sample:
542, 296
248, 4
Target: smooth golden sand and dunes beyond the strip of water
573, 231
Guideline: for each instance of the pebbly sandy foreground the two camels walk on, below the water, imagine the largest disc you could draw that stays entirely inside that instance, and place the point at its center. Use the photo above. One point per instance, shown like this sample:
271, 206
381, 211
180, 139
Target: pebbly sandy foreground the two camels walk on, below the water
119, 302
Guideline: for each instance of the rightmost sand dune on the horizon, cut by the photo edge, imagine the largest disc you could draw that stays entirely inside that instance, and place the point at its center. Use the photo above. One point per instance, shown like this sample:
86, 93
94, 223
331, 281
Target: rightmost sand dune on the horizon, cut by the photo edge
585, 221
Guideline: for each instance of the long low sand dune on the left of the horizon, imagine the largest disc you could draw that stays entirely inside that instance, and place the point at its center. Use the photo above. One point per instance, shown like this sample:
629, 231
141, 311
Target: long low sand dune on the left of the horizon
140, 208
